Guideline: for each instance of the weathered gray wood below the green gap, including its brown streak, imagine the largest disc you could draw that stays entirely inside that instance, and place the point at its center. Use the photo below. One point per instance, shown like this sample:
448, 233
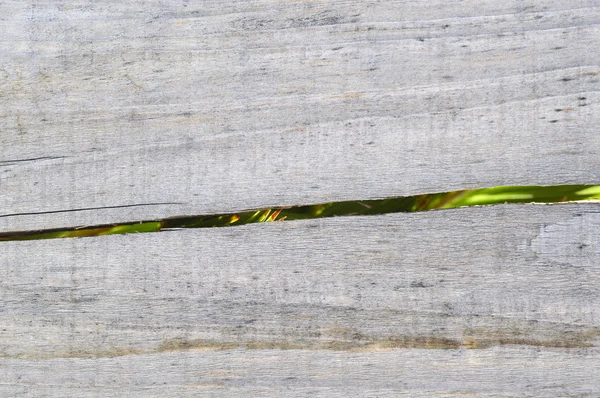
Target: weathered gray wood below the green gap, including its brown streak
501, 300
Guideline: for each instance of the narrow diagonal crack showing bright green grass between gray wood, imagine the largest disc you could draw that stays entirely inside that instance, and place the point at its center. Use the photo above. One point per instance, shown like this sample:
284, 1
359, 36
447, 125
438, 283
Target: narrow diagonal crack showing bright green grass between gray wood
446, 200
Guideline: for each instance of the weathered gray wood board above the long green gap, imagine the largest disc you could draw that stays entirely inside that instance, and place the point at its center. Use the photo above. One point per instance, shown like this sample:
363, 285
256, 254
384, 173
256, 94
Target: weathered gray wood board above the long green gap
157, 109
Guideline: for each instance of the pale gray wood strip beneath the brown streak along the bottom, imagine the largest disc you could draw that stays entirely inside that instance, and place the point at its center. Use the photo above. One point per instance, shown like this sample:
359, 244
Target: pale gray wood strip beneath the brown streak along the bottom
509, 371
